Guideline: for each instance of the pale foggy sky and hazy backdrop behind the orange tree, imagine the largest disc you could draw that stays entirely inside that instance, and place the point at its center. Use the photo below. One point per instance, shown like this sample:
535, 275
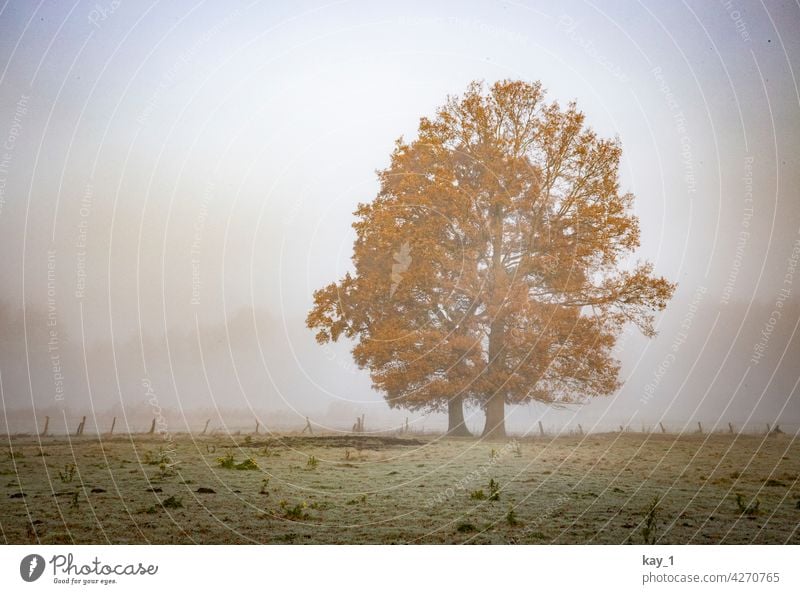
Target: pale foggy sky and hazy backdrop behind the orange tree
177, 179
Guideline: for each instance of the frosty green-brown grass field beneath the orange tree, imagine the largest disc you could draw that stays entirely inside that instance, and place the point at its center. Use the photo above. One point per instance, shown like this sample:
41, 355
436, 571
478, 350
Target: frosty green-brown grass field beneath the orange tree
609, 488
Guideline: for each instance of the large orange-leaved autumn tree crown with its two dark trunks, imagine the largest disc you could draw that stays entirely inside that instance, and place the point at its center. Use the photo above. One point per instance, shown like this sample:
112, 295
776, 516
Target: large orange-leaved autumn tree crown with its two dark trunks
507, 237
